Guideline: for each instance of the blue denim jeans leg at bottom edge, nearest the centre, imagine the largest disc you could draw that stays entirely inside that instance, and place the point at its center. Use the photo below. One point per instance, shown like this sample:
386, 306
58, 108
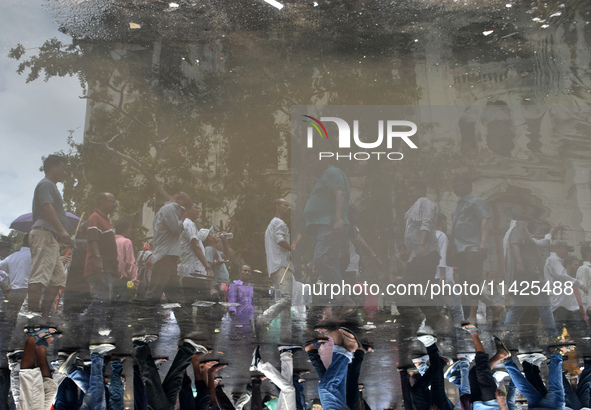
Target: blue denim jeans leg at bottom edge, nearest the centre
332, 387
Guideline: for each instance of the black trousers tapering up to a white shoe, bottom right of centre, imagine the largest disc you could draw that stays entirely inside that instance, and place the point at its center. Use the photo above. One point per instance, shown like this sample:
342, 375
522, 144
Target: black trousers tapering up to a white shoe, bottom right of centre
422, 397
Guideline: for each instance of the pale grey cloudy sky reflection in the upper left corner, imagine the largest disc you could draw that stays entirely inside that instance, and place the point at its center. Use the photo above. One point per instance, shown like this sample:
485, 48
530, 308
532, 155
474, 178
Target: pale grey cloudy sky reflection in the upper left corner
35, 117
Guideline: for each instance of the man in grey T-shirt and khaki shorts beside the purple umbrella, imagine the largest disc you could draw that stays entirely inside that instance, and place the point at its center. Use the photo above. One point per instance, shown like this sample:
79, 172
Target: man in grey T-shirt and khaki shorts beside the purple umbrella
48, 274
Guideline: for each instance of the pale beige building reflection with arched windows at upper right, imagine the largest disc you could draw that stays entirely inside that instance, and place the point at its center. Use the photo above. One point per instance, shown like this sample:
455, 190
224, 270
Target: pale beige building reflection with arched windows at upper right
526, 135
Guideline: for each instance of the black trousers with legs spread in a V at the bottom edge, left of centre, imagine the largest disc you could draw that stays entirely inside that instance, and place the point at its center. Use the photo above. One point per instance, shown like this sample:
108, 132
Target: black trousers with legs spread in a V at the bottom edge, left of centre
162, 396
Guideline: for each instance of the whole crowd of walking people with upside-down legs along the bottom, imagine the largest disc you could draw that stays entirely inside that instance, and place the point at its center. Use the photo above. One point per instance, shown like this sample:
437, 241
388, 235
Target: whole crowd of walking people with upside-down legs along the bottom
185, 269
